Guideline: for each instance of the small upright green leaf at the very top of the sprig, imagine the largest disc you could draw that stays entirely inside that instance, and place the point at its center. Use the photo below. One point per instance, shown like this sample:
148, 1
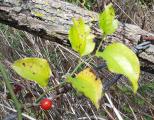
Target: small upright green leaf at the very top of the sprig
107, 21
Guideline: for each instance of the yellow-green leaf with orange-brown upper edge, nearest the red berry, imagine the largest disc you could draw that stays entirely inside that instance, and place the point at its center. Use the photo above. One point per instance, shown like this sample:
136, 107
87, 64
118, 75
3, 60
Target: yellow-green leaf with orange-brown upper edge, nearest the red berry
87, 83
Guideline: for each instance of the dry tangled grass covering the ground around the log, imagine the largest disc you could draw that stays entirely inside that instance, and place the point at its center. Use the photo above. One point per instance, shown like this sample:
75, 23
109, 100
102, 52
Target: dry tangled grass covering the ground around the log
15, 44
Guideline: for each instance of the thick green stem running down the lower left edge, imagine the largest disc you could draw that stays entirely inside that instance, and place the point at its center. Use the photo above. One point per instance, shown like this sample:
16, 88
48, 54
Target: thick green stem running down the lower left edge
10, 89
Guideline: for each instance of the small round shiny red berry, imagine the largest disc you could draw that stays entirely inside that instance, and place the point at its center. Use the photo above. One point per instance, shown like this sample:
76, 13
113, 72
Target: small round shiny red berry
45, 104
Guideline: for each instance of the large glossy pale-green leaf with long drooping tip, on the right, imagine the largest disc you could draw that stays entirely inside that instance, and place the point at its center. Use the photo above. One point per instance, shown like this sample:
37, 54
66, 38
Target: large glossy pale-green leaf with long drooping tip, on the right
122, 60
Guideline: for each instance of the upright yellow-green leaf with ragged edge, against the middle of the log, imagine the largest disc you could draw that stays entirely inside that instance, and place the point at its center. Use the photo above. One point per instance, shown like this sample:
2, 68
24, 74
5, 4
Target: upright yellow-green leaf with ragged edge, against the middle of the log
80, 37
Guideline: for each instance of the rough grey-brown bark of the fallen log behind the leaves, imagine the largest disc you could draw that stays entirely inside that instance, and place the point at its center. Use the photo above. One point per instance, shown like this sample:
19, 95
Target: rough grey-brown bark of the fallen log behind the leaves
51, 19
